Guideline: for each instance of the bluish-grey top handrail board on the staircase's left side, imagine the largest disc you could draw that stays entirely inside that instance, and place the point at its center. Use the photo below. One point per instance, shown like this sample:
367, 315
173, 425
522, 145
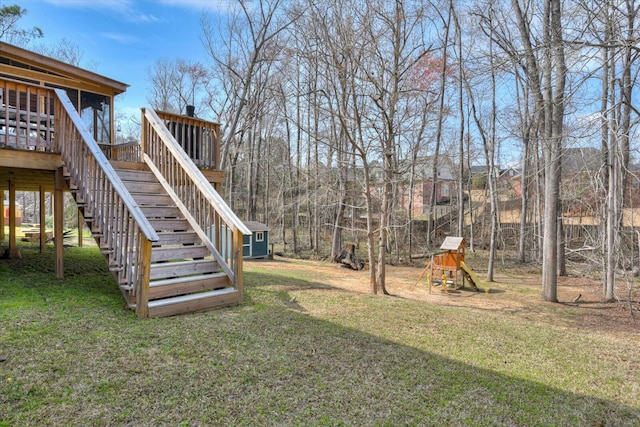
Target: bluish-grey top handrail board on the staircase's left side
136, 212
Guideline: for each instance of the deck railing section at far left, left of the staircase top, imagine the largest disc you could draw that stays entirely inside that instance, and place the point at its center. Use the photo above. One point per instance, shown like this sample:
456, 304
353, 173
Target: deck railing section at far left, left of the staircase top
26, 116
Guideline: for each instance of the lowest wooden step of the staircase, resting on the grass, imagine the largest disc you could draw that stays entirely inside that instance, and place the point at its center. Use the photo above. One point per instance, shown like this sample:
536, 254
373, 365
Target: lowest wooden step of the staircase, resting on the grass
193, 302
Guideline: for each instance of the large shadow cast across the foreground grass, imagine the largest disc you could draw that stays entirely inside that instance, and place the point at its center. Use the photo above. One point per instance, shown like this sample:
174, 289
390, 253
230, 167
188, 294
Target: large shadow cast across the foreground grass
265, 363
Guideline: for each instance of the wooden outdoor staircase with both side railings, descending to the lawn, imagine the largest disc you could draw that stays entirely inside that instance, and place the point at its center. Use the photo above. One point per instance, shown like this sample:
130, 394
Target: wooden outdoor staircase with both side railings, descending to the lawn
171, 242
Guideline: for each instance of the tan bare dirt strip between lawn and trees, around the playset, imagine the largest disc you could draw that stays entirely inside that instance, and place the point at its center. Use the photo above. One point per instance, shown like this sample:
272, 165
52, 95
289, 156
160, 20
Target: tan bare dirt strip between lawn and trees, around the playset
516, 290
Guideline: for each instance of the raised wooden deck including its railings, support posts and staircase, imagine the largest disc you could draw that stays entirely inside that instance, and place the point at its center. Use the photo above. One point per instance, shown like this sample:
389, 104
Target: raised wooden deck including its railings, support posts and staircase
171, 242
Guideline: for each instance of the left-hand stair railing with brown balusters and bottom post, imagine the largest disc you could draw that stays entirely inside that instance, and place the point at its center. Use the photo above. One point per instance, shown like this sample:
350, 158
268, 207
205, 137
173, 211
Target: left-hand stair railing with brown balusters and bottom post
125, 233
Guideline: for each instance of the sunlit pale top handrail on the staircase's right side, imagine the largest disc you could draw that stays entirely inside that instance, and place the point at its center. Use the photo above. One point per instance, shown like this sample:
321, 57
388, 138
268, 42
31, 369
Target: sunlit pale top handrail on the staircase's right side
192, 171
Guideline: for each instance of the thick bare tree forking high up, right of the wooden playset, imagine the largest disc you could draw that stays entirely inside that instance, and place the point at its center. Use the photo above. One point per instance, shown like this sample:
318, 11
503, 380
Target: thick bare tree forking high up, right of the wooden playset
540, 53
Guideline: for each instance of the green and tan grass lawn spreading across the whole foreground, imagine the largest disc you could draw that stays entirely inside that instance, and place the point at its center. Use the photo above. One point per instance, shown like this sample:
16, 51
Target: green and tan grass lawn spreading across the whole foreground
297, 352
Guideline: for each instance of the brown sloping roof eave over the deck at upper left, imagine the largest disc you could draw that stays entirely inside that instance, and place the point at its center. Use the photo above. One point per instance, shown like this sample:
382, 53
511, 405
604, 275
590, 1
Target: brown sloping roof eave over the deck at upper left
21, 63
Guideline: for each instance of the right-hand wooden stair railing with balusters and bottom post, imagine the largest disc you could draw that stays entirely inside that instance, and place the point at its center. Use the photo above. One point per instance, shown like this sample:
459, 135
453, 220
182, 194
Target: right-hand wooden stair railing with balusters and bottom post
211, 218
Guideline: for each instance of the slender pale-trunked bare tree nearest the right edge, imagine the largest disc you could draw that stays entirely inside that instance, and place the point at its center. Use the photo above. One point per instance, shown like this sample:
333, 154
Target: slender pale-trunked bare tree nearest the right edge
616, 35
